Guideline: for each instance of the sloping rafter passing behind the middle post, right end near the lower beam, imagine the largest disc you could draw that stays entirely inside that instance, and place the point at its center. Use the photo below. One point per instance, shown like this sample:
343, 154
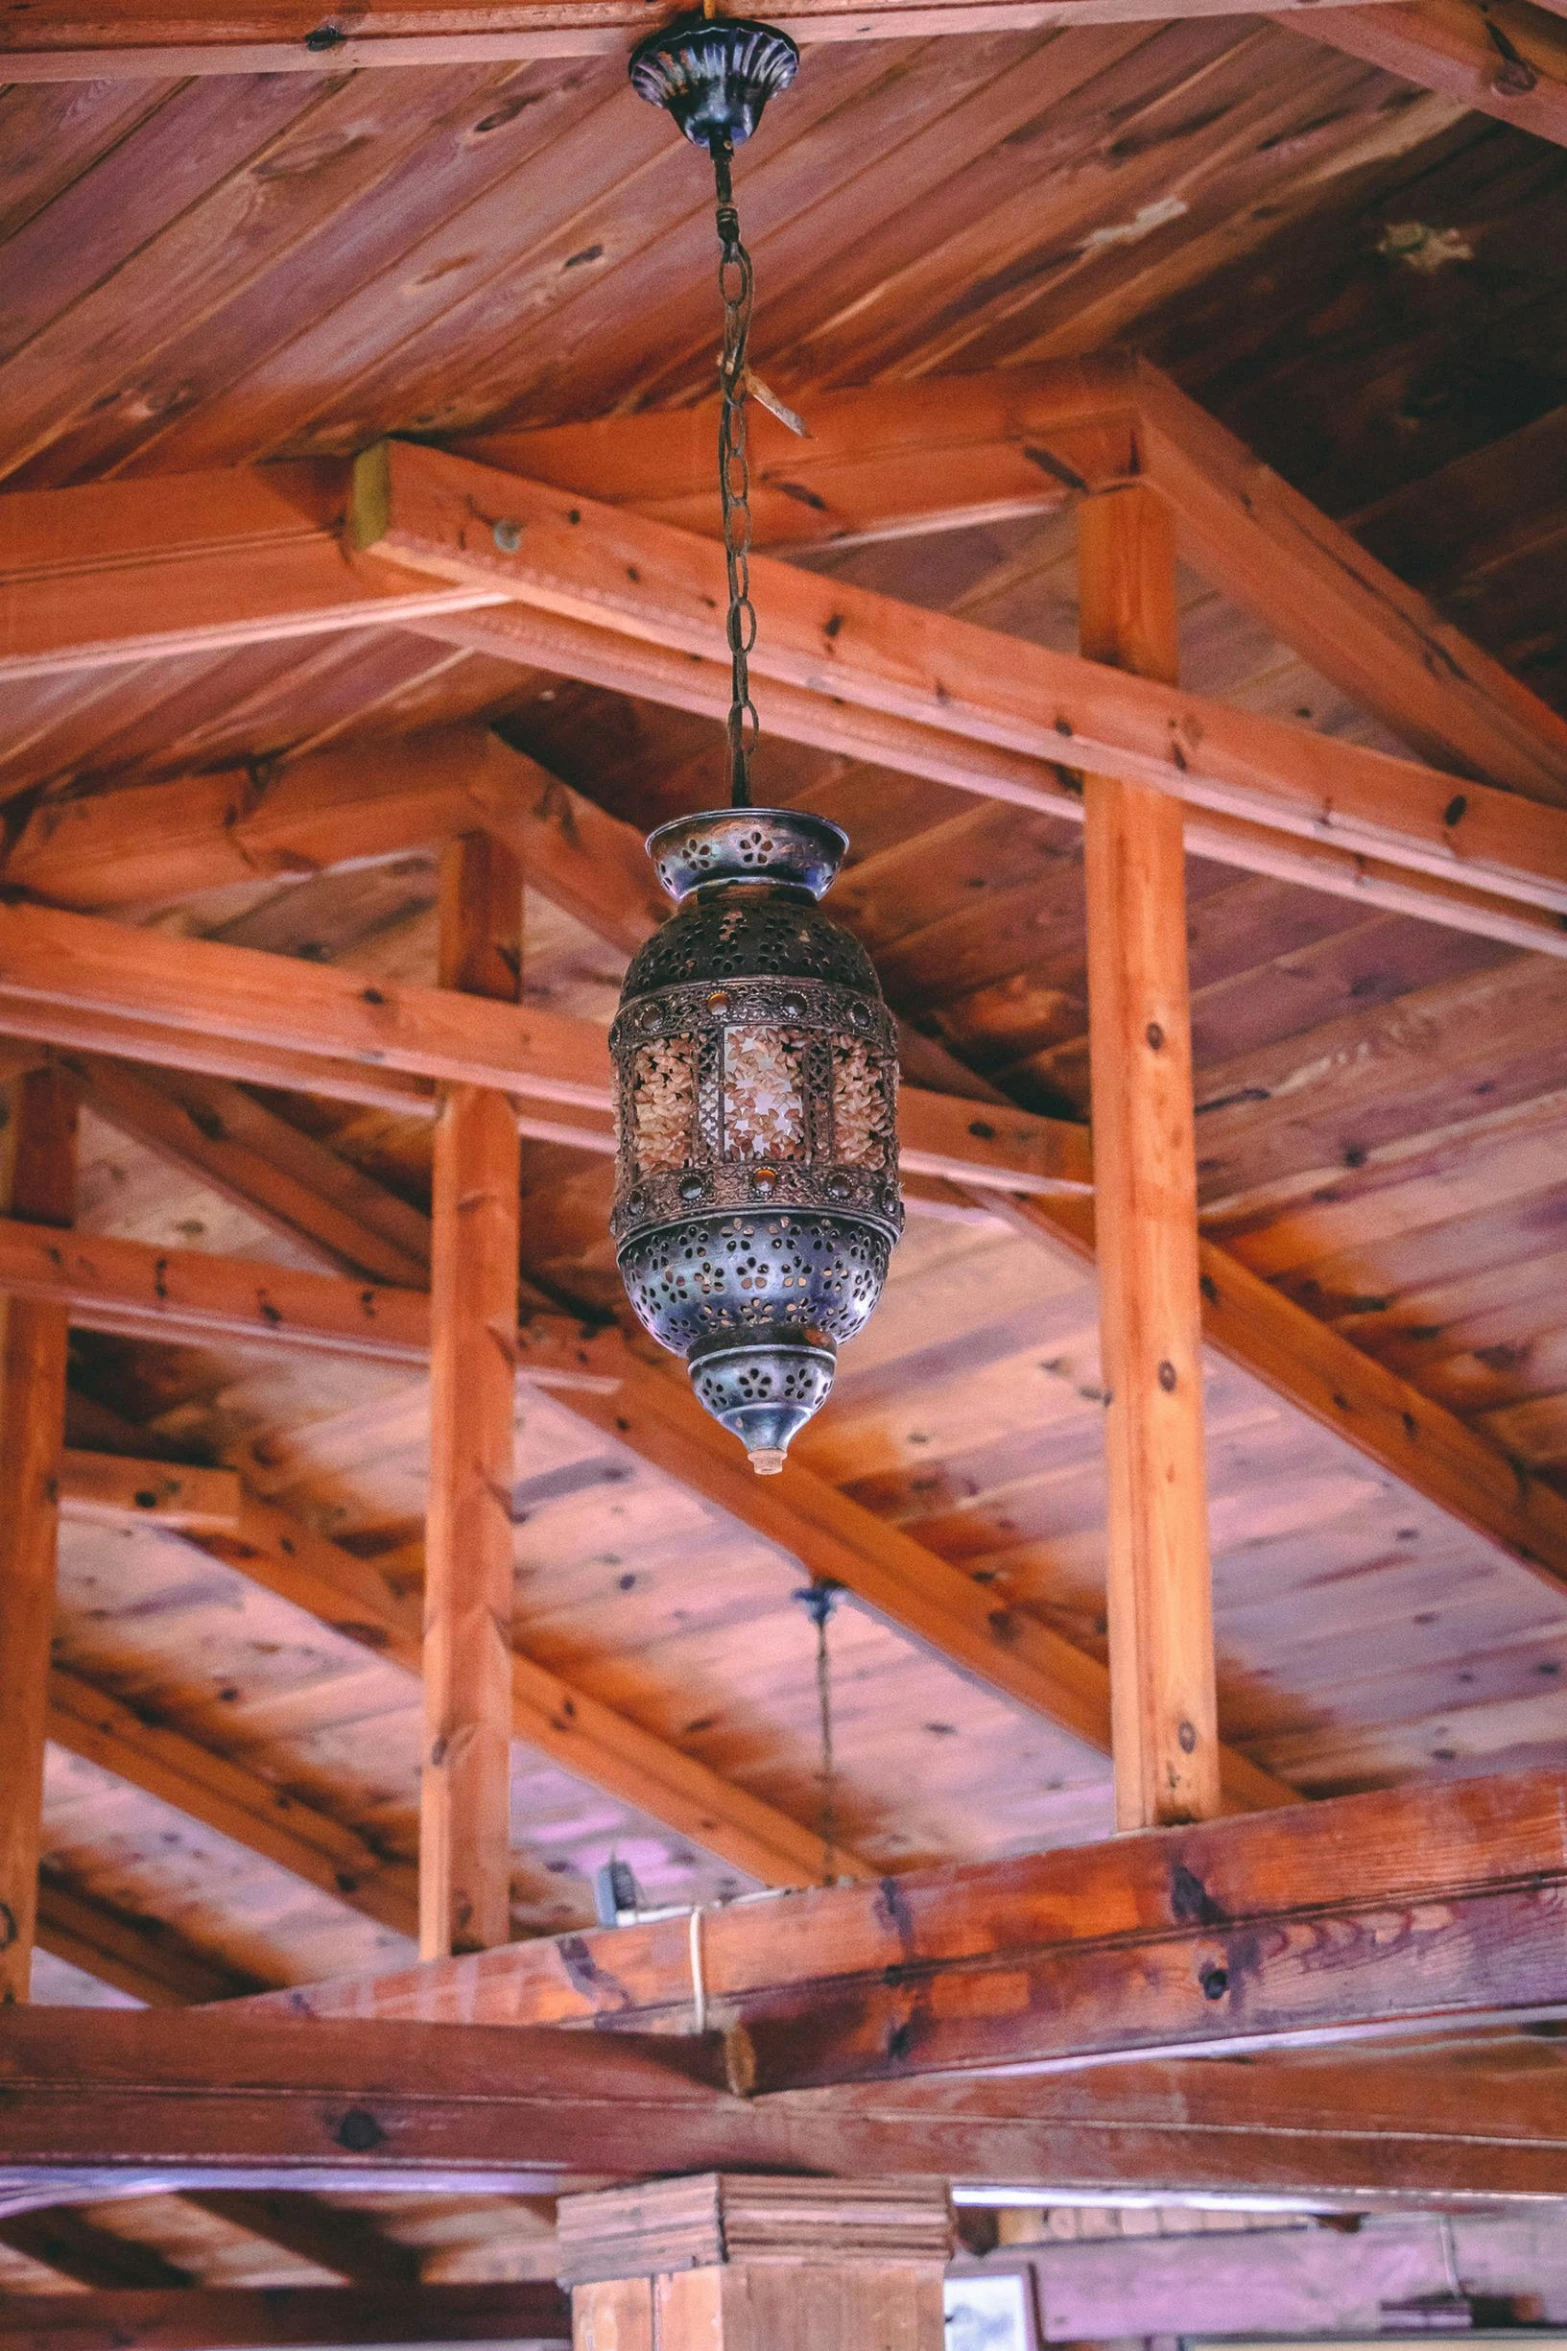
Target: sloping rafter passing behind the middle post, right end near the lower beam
577, 1732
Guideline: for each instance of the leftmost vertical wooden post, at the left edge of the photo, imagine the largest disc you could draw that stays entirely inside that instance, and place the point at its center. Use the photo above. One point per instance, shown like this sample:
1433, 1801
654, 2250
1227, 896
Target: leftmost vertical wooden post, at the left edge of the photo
32, 1440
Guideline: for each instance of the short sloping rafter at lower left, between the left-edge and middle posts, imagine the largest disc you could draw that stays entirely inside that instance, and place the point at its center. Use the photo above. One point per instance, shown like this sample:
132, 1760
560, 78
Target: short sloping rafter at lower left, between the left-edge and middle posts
229, 1800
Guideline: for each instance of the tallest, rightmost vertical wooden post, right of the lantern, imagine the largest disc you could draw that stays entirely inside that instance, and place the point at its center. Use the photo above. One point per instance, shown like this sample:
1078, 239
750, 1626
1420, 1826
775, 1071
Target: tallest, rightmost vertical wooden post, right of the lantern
1164, 1717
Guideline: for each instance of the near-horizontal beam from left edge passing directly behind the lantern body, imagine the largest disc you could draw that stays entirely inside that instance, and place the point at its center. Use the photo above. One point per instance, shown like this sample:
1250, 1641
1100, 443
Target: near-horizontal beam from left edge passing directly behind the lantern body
97, 986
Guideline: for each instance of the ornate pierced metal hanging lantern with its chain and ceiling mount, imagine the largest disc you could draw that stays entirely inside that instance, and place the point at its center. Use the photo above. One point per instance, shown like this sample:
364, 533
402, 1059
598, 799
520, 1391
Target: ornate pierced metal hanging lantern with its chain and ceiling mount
755, 1059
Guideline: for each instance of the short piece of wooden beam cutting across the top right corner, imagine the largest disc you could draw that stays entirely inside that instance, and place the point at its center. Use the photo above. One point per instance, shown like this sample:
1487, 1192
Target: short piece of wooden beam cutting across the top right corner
1507, 60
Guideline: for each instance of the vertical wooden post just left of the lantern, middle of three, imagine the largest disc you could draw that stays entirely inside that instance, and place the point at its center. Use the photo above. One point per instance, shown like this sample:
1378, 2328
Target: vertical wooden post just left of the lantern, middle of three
464, 1840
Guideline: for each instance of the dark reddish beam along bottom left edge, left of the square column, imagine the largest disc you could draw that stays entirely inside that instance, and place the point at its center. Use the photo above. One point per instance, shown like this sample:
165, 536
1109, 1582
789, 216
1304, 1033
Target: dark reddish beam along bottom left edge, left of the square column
262, 2317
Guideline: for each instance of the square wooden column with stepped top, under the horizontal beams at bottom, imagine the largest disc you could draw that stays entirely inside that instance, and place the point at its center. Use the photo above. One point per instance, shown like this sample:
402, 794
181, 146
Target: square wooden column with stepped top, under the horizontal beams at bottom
758, 2265
